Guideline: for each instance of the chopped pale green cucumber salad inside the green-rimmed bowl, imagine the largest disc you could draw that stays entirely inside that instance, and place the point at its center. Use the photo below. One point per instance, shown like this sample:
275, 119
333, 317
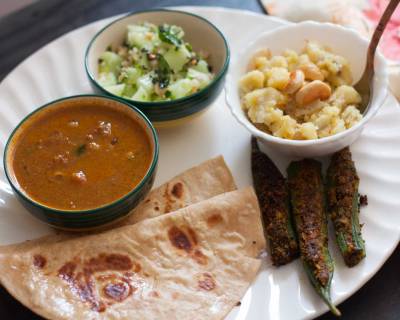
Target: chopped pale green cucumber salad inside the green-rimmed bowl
154, 64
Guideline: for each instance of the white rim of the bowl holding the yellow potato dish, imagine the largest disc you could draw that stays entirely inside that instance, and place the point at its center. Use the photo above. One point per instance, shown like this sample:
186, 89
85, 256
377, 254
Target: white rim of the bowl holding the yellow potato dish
300, 143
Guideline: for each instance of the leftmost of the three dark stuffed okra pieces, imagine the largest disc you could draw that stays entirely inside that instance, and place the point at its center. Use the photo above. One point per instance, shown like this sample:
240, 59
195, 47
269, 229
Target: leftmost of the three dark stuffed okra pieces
273, 197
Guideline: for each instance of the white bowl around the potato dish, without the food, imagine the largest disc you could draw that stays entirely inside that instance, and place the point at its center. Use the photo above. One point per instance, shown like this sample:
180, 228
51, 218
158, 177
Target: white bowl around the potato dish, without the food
342, 41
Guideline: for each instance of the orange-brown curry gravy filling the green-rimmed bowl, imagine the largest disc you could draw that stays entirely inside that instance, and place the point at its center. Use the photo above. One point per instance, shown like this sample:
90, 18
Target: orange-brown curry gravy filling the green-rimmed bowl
81, 156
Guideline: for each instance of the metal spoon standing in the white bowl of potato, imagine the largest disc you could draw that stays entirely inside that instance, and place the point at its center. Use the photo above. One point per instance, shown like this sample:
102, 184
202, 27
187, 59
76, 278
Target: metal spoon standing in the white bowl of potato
365, 86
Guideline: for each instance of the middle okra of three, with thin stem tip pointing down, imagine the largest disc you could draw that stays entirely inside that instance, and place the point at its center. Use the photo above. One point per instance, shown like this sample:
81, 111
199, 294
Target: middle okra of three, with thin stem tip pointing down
308, 209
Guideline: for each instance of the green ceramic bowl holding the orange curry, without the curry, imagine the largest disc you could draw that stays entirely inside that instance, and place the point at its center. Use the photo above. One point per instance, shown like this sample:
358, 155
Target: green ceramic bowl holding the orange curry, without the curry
84, 219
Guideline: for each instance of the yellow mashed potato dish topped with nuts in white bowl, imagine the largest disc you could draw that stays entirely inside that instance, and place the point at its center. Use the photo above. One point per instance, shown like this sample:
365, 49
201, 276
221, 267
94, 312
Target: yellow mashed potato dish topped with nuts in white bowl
300, 96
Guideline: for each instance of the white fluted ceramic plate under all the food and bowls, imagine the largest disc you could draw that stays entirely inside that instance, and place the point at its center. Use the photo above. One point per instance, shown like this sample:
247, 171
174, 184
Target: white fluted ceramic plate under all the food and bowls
285, 294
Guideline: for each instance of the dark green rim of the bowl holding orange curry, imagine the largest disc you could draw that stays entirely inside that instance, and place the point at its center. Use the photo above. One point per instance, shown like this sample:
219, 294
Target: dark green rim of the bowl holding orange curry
137, 188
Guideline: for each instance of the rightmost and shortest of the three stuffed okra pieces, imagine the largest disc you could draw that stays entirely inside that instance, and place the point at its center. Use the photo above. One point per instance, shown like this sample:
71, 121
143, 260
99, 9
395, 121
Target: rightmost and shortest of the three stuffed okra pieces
344, 207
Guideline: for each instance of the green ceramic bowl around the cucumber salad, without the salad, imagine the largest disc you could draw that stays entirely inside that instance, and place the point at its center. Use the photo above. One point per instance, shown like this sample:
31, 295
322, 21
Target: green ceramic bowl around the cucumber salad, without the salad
199, 32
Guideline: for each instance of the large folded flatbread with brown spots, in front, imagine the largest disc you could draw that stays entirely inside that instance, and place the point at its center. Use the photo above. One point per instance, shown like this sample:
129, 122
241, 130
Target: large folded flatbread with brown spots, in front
195, 263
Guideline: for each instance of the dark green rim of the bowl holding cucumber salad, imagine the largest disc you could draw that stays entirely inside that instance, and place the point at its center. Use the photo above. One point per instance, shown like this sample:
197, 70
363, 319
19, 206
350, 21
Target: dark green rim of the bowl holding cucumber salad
160, 103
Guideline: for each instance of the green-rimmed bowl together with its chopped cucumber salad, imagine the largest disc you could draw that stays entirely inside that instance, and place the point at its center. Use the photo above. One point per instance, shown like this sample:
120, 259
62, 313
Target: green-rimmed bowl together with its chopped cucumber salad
170, 64
